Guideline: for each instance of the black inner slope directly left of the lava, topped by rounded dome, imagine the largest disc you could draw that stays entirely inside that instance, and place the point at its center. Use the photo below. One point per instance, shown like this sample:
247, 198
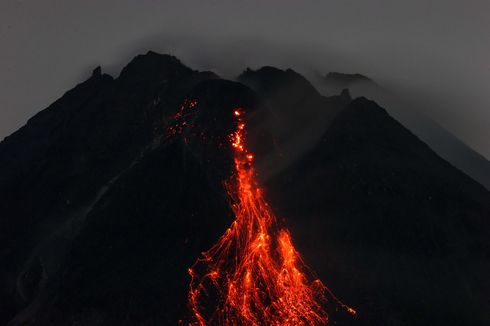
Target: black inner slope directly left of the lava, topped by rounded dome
129, 263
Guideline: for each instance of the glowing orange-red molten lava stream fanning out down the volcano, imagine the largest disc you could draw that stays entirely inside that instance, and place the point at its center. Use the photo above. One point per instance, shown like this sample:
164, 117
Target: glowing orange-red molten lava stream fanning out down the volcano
254, 275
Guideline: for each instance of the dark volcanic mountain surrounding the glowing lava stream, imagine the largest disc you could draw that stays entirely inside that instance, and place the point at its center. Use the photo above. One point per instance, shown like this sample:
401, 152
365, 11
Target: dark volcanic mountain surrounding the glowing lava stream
106, 202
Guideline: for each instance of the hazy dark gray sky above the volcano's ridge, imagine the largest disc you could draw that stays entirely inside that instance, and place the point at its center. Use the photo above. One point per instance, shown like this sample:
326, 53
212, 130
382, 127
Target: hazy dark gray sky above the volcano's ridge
438, 48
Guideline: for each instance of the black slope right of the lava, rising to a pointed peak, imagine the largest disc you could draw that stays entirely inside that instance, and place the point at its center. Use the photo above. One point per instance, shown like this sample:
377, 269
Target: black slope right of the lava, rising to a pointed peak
406, 234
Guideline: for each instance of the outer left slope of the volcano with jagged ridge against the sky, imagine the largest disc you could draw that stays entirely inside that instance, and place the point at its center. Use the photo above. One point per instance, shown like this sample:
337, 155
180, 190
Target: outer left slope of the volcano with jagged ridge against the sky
54, 167
